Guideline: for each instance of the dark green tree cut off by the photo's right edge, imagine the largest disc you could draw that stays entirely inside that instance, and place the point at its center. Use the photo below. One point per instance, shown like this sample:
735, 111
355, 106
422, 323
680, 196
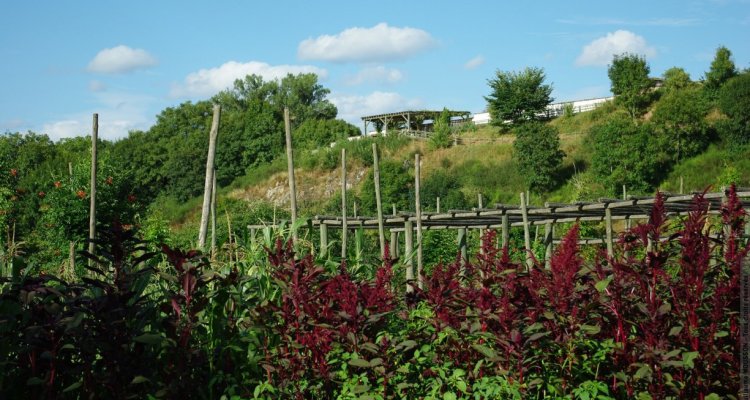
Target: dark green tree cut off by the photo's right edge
734, 102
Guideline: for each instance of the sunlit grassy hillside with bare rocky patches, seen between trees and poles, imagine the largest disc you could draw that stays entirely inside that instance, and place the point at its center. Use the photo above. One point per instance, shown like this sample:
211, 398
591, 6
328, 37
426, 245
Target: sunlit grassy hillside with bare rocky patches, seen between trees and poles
484, 163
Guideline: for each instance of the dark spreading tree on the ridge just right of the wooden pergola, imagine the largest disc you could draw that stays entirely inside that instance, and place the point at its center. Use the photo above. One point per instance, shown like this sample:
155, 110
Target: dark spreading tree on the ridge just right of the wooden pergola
518, 96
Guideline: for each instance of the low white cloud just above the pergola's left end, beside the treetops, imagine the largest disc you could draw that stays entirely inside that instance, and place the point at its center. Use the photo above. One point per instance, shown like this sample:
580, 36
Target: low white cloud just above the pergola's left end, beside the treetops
353, 107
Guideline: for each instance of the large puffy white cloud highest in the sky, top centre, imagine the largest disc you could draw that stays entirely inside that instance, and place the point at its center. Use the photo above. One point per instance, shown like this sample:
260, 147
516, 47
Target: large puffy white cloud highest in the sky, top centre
376, 44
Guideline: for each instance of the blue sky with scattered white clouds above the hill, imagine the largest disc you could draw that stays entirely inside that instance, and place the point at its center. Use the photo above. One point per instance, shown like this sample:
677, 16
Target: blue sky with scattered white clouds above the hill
60, 62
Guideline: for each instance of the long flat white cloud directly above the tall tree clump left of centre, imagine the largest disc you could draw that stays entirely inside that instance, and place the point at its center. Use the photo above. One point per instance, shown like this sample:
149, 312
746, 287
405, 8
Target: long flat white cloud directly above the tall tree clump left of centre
207, 82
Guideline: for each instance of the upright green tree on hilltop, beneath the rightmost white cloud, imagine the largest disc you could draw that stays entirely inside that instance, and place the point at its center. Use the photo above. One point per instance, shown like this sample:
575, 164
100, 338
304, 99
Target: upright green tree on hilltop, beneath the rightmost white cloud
630, 82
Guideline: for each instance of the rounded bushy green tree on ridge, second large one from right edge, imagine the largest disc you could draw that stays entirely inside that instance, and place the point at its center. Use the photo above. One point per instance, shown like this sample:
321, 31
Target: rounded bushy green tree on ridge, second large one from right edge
680, 116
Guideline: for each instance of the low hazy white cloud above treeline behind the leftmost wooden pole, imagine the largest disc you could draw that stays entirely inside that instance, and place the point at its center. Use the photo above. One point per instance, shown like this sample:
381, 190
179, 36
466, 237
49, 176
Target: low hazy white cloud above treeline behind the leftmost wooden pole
119, 113
